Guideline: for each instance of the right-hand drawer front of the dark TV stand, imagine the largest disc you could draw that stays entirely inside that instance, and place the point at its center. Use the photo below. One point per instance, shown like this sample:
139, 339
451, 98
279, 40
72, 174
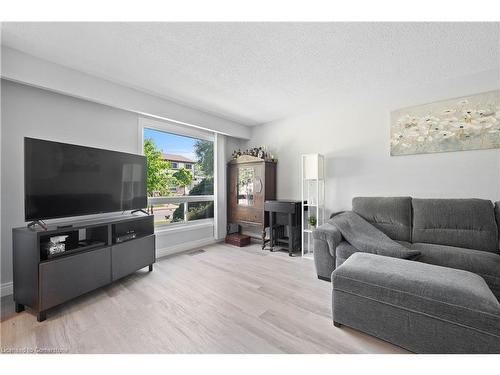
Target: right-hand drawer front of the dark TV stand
133, 255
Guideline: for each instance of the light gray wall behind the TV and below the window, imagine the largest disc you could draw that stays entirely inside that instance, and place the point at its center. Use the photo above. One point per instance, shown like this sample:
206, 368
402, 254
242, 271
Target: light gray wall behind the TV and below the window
32, 112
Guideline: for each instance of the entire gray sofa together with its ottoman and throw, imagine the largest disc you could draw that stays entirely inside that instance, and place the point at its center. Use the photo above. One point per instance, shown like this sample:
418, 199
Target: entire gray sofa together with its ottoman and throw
443, 299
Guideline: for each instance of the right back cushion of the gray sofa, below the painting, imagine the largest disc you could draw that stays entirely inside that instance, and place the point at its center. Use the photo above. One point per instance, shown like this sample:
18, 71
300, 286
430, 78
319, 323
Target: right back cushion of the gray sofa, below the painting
468, 223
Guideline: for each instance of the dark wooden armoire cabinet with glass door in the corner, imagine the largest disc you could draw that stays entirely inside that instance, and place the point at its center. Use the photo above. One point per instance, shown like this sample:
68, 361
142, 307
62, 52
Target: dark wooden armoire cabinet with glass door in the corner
251, 181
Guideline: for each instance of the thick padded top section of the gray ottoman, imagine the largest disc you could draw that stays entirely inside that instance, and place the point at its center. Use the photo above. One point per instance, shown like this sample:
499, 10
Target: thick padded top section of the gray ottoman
451, 295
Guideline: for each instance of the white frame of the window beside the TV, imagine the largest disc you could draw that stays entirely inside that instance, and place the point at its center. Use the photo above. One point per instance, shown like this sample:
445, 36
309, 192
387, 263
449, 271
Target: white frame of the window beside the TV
182, 130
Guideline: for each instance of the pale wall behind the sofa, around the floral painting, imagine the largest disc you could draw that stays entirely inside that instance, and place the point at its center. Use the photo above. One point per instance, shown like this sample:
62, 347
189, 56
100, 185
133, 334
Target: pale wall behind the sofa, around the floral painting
352, 131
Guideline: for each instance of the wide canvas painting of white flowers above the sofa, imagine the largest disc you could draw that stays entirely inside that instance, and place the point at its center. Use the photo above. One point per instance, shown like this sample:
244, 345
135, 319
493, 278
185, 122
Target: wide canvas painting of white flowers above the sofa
466, 123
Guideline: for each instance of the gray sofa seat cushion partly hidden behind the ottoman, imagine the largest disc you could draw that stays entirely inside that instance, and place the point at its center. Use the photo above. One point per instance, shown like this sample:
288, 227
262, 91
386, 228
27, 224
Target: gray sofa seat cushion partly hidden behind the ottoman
483, 263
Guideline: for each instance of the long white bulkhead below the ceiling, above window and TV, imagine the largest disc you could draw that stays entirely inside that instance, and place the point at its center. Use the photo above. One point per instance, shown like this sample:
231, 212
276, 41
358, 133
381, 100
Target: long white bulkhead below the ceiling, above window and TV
21, 67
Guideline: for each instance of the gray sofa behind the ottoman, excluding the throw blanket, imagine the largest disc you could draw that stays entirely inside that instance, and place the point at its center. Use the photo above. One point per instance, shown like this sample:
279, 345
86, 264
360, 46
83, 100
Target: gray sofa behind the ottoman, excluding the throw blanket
456, 233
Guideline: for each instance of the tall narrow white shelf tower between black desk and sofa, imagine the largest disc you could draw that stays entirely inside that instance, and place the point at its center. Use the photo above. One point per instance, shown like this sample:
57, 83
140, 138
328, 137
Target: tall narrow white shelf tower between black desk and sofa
313, 199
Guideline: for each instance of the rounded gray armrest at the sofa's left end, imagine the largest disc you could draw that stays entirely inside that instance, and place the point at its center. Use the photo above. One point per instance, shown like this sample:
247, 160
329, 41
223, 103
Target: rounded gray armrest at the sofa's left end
325, 239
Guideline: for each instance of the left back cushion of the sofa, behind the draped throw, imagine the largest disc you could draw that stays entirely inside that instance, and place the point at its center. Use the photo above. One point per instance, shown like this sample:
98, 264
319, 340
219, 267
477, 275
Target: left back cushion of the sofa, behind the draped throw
391, 215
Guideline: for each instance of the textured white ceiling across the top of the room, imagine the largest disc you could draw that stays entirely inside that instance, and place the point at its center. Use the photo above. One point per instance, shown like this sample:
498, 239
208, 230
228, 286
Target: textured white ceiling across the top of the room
258, 72
